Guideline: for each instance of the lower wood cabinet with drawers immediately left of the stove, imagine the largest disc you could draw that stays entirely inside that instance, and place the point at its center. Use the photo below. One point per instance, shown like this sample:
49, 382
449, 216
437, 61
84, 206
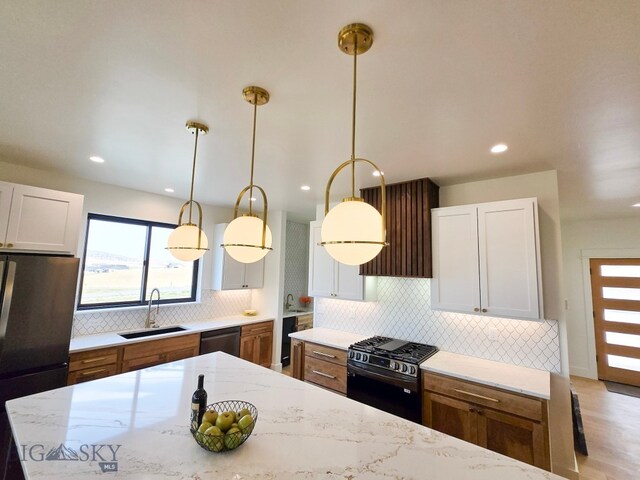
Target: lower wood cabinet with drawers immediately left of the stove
320, 365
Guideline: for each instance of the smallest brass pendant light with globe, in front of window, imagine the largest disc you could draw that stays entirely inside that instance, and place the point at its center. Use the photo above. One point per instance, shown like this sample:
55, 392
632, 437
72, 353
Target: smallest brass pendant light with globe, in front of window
188, 242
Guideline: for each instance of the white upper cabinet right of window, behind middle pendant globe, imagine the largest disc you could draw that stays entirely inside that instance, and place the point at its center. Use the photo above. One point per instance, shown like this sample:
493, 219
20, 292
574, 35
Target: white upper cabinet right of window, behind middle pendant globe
229, 274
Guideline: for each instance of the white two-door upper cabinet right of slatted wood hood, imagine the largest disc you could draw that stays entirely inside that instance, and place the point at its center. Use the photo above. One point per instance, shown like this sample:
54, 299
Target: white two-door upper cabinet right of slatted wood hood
486, 259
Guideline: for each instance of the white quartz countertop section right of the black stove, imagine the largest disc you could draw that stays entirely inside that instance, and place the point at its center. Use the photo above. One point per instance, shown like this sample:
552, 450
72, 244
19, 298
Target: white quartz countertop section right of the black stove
528, 381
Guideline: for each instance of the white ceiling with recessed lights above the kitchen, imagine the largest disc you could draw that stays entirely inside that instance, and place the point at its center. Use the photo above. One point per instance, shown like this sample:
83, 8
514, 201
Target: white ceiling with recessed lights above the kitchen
558, 81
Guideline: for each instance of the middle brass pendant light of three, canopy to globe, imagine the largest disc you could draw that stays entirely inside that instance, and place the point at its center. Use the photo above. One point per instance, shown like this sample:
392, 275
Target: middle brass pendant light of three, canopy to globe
247, 238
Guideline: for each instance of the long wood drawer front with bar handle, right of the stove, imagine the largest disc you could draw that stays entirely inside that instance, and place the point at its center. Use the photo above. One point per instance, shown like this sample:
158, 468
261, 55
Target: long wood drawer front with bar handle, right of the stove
485, 396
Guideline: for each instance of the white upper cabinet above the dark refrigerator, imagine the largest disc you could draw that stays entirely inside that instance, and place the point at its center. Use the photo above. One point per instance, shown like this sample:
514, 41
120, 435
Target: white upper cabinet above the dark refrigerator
36, 219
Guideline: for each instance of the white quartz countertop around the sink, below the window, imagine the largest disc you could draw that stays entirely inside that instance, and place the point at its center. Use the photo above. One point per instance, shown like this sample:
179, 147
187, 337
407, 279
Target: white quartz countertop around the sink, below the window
112, 339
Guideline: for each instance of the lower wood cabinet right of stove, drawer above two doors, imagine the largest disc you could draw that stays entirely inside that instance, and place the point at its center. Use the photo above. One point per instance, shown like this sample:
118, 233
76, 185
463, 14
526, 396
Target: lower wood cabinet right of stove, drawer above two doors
504, 422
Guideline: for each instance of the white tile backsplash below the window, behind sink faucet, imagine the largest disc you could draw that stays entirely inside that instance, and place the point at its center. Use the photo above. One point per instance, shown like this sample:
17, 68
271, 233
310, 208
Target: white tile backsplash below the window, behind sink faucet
213, 304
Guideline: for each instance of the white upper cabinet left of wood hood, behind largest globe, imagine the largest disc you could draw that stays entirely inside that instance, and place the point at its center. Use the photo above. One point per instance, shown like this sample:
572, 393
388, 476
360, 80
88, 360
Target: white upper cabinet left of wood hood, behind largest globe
329, 278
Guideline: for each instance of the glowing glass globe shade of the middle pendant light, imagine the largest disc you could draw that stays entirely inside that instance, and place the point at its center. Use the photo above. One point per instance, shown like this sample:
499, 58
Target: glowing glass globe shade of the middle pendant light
246, 231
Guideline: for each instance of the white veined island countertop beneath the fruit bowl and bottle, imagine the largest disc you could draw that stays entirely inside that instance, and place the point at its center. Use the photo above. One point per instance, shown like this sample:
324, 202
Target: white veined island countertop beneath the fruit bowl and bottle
302, 432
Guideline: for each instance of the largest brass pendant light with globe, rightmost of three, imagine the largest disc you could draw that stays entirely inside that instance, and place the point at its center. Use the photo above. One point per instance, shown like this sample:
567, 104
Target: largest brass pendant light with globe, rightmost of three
354, 232
